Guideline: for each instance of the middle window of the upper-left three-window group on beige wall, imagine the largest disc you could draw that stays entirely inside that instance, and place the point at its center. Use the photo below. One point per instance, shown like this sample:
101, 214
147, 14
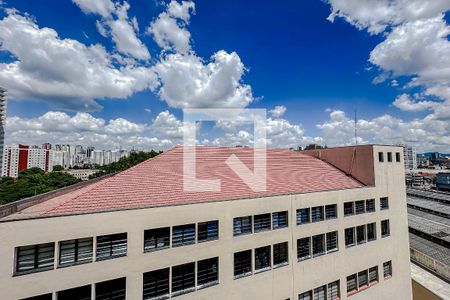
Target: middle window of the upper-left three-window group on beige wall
75, 251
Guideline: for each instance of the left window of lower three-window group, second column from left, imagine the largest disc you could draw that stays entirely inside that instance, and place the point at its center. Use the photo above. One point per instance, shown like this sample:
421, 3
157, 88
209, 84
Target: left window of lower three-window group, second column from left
156, 284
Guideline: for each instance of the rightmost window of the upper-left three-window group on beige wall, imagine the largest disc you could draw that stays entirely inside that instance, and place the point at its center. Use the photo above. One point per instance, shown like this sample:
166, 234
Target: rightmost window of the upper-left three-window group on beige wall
110, 246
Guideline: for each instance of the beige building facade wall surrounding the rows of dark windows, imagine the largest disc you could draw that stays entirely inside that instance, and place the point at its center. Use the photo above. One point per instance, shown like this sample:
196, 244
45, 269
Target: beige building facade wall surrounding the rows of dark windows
282, 283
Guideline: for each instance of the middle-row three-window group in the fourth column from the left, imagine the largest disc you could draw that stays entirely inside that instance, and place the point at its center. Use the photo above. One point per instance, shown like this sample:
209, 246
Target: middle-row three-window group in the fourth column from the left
317, 245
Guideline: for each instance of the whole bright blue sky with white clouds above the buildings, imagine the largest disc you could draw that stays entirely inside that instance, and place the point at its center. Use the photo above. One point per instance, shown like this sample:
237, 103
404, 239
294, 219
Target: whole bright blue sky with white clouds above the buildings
118, 73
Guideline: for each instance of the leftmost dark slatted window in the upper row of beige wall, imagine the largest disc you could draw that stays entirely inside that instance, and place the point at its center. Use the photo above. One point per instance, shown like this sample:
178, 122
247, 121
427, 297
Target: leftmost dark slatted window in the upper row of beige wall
35, 258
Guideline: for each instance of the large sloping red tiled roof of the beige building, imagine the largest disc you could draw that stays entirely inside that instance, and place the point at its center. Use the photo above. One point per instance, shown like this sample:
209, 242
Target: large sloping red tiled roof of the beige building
159, 182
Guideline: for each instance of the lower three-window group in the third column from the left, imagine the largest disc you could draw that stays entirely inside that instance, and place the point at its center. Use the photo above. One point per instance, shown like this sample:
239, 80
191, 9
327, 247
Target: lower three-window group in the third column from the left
262, 258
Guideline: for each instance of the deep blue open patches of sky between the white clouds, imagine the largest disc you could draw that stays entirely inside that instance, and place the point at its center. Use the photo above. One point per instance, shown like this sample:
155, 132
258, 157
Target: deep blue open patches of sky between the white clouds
294, 57
